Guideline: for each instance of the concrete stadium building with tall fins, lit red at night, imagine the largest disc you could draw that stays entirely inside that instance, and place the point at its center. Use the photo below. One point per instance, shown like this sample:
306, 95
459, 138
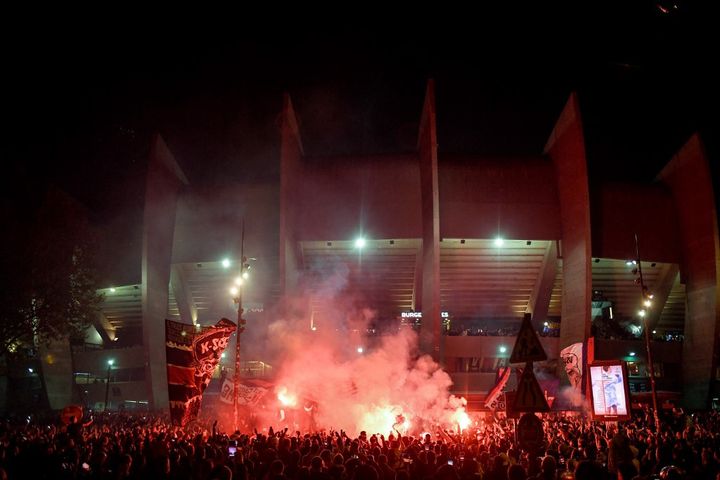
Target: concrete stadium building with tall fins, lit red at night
431, 224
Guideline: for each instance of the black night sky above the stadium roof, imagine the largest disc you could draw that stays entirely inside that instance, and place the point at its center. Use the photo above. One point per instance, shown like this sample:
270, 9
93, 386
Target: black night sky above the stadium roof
84, 97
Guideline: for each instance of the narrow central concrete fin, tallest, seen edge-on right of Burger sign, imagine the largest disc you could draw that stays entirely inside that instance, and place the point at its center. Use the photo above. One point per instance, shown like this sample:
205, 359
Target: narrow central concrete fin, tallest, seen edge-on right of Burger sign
430, 300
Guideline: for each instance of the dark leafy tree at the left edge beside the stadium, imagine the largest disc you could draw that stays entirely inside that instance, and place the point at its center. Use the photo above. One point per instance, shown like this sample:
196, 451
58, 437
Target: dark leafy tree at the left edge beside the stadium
50, 289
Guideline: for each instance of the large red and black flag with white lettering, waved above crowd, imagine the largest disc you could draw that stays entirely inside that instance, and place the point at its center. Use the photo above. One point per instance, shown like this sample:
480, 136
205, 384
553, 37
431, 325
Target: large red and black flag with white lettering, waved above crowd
192, 355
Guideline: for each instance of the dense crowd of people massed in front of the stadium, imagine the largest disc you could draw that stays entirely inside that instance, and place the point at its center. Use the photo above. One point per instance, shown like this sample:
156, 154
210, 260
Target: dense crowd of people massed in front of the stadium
124, 446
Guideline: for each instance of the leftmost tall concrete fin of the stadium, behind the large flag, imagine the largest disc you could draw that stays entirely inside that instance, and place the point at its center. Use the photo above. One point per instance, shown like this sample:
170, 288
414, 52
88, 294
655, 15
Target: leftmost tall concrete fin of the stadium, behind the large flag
164, 179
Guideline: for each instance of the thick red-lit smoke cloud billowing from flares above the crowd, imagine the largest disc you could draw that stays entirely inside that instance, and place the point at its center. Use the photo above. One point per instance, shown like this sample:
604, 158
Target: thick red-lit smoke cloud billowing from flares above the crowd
349, 380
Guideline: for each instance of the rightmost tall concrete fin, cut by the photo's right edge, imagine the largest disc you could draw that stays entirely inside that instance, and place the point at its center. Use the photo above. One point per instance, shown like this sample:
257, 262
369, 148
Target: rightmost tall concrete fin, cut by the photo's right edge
689, 177
